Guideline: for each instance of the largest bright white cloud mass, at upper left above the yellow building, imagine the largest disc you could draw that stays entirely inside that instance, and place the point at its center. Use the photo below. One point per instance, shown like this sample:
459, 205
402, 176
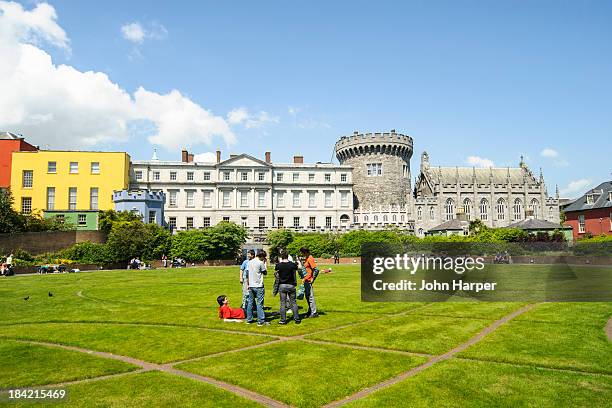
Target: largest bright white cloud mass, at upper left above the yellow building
62, 107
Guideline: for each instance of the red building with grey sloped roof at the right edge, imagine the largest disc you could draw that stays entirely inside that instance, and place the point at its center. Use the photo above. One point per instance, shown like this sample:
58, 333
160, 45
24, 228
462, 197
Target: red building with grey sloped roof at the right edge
591, 213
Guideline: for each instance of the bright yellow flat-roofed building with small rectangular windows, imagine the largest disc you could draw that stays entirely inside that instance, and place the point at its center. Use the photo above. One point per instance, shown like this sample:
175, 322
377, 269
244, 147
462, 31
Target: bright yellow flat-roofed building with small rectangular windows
63, 181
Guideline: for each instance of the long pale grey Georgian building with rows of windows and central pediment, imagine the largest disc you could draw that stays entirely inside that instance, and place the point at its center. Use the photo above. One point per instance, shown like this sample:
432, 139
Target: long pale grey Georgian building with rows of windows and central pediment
257, 194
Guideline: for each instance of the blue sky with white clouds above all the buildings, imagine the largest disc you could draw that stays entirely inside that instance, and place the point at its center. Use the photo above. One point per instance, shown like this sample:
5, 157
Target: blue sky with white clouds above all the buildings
475, 83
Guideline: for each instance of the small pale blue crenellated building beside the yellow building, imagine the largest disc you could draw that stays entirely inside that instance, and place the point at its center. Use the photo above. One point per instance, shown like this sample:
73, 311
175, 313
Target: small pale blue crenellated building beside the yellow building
148, 204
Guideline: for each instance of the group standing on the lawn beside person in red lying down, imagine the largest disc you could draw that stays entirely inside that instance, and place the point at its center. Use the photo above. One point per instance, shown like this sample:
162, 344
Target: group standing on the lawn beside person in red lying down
252, 273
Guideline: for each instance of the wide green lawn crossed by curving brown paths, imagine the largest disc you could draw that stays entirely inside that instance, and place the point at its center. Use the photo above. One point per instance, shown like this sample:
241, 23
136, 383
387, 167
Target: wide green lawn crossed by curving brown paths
167, 316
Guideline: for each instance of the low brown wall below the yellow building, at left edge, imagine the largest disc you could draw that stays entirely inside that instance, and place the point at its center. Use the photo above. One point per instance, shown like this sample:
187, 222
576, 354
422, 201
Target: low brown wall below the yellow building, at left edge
41, 242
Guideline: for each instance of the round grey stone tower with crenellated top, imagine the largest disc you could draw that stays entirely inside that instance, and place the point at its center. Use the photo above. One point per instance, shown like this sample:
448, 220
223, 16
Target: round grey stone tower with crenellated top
381, 168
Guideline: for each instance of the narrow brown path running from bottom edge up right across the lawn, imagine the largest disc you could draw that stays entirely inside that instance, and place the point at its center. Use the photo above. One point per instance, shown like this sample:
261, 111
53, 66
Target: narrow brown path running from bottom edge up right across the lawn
436, 359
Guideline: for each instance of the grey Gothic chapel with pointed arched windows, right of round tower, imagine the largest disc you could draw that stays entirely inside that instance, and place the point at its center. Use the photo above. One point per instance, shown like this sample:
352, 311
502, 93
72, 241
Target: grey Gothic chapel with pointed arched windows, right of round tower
497, 196
